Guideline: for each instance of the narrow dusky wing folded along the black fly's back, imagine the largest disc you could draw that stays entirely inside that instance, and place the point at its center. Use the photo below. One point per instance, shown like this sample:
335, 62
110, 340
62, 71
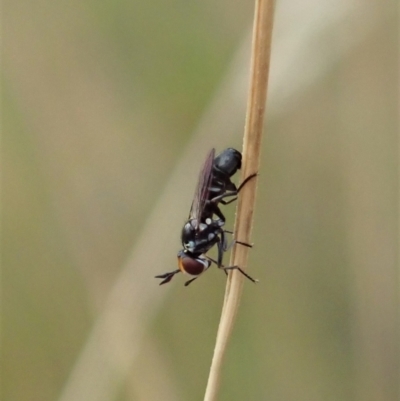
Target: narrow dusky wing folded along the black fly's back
202, 189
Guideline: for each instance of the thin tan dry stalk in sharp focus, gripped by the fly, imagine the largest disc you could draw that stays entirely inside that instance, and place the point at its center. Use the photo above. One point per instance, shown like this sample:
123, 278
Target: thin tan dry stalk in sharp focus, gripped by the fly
260, 60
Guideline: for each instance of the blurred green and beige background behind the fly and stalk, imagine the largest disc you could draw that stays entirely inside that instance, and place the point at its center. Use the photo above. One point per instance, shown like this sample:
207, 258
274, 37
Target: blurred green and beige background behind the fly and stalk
109, 109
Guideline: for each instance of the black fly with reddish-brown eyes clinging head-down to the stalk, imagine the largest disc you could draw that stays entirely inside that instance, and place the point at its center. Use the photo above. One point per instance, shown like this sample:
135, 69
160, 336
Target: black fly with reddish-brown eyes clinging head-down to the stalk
201, 231
